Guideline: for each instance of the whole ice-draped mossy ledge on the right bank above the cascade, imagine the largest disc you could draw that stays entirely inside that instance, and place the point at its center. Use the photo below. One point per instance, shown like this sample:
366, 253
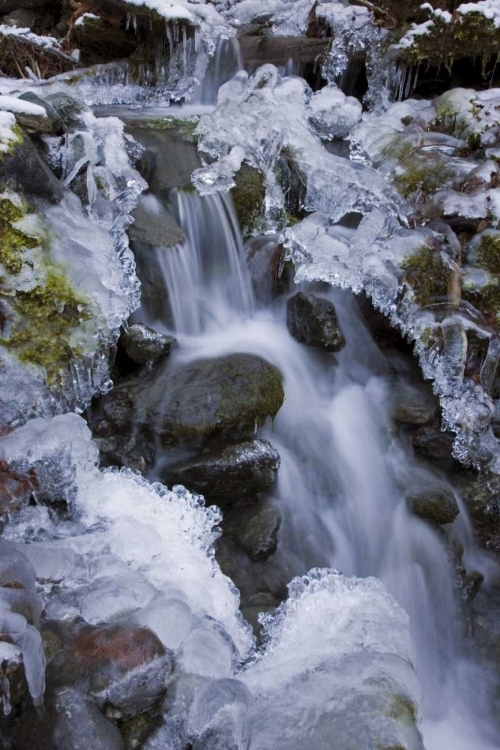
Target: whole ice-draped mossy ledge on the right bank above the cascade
420, 174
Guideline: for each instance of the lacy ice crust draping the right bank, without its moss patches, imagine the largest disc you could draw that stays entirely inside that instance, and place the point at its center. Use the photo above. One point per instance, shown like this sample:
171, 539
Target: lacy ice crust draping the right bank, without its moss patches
259, 119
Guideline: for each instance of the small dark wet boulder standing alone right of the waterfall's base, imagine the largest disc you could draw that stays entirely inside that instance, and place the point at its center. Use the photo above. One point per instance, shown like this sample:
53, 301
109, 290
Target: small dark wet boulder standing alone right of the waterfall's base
312, 320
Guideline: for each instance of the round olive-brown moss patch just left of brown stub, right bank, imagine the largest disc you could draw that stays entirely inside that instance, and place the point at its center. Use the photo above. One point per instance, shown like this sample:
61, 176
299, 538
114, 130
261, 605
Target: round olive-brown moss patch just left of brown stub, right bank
427, 274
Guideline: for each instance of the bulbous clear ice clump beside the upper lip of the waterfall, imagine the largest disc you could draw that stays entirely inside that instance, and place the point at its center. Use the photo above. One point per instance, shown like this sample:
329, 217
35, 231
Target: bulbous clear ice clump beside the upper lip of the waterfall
257, 120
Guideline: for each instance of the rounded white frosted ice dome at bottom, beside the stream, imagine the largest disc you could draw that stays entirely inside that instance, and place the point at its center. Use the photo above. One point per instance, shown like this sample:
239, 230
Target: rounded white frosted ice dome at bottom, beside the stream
338, 648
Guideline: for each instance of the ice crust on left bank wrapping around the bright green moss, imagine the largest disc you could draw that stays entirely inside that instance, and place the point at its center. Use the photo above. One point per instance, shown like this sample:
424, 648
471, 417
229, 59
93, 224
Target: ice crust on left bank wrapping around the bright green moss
91, 244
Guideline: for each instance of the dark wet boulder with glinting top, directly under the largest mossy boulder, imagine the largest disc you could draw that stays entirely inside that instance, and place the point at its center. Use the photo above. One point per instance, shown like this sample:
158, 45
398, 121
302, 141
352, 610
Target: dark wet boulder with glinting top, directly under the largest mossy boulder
236, 473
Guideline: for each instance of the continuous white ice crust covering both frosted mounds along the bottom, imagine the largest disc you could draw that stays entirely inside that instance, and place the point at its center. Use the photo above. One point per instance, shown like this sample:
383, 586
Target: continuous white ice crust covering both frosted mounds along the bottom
137, 550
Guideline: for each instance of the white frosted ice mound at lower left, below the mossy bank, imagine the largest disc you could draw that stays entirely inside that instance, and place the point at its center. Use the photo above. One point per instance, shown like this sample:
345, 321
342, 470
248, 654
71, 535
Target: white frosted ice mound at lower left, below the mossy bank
132, 549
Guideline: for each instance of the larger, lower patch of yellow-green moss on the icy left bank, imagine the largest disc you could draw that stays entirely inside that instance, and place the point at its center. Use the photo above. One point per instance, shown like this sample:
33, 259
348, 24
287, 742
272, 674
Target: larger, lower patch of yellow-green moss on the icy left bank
45, 319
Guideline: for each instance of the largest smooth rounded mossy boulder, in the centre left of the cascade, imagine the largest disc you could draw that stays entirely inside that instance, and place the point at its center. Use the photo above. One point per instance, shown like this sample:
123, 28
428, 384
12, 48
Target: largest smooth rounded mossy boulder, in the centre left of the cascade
224, 397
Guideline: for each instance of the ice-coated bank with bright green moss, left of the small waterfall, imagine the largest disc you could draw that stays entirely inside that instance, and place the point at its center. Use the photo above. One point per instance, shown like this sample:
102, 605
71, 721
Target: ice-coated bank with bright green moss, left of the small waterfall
58, 258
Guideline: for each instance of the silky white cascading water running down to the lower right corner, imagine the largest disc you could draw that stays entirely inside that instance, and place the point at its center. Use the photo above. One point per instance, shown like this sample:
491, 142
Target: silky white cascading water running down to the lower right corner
344, 476
